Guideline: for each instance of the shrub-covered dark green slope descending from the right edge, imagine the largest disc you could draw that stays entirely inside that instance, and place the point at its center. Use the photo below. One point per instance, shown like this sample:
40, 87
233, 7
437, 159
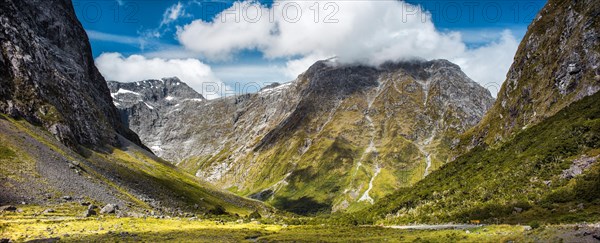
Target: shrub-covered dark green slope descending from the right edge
523, 175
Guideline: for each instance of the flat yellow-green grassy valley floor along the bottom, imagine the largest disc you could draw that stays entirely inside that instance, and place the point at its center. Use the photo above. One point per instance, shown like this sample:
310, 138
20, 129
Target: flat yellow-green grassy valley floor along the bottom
30, 223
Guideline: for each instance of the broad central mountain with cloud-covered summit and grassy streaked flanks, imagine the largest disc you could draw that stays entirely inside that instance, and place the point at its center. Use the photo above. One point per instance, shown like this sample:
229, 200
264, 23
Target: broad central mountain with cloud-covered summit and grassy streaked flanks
338, 137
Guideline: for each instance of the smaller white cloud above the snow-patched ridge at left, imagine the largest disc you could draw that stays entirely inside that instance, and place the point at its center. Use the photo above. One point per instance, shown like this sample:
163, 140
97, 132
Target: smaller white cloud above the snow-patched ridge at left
198, 75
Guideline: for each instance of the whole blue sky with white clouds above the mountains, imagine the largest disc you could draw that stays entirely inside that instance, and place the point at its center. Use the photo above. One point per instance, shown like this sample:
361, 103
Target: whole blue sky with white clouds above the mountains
237, 46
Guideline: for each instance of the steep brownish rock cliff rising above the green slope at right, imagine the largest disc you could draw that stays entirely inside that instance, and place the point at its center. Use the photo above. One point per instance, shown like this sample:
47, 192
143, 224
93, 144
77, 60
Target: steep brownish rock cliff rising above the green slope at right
556, 64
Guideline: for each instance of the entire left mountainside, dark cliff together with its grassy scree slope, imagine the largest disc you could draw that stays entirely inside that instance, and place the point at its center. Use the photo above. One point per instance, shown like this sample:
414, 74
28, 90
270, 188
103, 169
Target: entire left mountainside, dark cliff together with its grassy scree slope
48, 78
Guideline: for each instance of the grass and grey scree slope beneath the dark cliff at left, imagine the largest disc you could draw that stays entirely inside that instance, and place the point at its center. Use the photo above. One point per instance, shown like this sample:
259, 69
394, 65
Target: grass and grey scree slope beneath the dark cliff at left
37, 169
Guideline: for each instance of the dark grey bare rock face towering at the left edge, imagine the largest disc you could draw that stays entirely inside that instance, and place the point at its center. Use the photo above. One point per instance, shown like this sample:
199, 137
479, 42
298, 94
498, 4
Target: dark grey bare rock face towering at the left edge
48, 77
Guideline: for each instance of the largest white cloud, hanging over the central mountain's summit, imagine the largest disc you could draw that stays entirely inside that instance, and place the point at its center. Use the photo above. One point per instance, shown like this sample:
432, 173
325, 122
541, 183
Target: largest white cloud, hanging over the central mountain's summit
369, 32
